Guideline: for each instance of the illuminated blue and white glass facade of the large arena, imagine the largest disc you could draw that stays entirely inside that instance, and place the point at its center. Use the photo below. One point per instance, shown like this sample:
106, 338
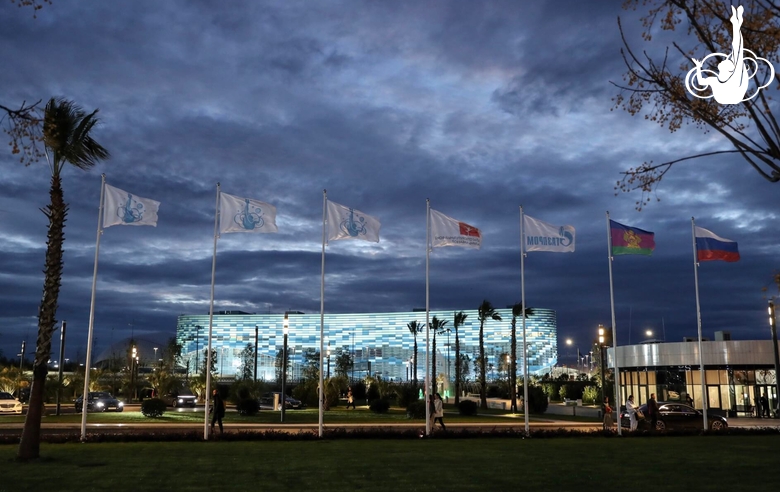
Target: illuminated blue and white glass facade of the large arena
379, 342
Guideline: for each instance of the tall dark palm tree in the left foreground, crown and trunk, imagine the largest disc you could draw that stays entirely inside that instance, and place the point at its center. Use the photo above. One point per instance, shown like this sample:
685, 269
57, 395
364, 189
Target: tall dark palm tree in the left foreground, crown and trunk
67, 139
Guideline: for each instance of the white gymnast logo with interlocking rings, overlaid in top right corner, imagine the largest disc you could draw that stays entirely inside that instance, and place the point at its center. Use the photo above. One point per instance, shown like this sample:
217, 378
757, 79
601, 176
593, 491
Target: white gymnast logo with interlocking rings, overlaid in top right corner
730, 84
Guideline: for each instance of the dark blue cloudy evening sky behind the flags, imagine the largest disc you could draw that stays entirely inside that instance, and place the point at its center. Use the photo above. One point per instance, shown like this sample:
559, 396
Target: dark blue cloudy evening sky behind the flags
479, 106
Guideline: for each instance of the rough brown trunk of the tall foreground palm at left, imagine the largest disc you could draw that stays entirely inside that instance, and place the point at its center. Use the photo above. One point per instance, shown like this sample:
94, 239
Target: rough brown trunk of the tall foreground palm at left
29, 446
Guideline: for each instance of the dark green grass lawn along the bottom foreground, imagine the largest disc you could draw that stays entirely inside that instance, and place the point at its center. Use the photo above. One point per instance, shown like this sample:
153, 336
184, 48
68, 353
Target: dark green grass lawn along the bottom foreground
699, 463
